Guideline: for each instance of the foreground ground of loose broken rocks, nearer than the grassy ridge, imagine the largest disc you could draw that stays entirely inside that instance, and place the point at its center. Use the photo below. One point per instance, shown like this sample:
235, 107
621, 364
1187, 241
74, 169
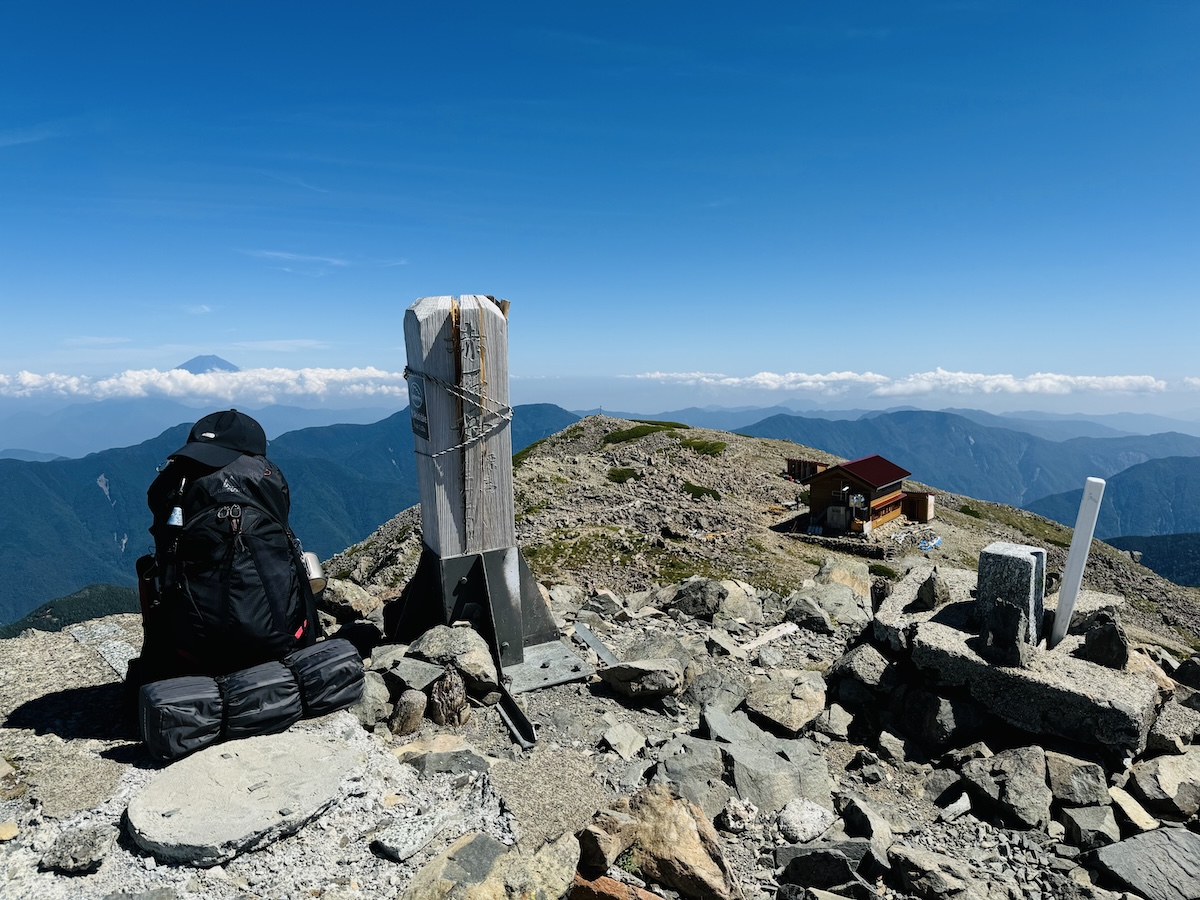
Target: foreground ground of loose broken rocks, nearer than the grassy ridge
735, 743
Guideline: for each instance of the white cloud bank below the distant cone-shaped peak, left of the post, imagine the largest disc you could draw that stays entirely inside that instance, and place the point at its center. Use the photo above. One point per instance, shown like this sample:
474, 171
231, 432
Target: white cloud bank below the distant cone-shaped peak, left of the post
251, 386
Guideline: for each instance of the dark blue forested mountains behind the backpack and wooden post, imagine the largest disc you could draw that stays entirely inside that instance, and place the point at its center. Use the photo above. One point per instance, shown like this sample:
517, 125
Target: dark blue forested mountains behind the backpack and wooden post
77, 523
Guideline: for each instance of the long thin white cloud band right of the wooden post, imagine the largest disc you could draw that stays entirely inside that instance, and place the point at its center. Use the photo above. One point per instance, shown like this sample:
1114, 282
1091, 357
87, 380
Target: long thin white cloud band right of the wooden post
919, 383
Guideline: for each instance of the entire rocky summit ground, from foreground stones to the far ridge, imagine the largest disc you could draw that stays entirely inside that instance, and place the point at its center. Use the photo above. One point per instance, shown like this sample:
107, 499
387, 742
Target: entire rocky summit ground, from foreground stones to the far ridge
772, 717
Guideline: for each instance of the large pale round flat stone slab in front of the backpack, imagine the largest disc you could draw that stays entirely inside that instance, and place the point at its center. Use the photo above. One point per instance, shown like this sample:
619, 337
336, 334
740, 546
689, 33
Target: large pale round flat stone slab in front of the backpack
239, 796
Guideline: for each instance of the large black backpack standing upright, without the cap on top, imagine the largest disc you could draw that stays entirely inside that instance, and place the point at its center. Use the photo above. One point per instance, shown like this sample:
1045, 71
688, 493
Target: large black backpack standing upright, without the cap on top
226, 587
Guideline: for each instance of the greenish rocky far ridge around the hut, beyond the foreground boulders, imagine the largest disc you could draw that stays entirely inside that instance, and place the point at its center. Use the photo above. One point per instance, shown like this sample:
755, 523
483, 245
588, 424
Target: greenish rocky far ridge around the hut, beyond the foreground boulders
625, 506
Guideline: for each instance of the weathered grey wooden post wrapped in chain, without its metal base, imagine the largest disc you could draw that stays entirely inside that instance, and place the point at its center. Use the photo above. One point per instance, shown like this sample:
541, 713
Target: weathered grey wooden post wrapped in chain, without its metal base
459, 398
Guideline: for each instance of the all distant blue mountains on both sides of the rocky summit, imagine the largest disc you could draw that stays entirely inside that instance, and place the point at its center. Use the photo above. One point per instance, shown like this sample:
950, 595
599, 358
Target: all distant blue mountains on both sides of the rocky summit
73, 523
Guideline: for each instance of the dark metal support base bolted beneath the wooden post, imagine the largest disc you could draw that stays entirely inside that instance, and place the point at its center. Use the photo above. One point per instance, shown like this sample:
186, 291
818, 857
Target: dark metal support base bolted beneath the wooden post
497, 595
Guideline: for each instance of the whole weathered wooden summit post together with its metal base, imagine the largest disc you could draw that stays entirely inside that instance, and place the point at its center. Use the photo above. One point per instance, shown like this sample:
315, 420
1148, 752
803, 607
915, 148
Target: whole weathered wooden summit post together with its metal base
471, 568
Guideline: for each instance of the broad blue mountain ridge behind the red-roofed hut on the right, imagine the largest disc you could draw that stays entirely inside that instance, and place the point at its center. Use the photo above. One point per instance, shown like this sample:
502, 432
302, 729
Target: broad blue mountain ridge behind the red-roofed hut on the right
961, 455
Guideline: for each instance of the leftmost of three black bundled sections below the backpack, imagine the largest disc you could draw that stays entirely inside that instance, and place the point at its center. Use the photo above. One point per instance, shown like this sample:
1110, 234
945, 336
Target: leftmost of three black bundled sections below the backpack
181, 716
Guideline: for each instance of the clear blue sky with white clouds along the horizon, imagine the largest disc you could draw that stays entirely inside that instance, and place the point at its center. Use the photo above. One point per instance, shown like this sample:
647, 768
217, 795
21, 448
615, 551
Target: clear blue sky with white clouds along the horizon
989, 205
